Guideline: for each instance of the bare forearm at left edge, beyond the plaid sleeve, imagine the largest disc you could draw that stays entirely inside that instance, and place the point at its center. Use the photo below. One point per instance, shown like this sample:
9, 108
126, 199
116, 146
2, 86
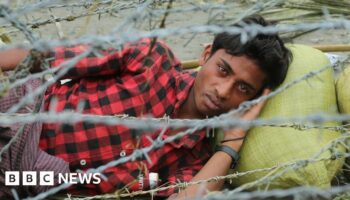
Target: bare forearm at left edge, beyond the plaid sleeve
10, 58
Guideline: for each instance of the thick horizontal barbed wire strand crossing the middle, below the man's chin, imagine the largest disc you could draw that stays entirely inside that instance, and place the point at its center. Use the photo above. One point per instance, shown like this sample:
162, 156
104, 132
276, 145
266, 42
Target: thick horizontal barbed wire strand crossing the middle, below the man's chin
149, 123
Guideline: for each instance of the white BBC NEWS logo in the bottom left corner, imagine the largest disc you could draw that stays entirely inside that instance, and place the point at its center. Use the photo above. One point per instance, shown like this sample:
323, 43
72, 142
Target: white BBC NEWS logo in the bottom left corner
46, 178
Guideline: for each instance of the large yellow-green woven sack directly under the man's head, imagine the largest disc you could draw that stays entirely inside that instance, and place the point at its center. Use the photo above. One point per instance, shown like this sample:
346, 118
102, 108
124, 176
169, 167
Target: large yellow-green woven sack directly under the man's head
266, 147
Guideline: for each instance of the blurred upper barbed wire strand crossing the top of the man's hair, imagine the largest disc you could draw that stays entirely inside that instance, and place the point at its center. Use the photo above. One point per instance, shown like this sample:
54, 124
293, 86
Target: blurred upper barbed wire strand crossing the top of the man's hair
246, 32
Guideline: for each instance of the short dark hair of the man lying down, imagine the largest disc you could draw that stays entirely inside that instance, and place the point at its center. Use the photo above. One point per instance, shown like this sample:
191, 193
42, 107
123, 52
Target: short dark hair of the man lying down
267, 50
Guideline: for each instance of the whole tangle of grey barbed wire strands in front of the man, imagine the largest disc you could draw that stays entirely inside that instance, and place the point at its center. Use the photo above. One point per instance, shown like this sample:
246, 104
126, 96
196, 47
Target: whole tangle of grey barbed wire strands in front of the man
230, 119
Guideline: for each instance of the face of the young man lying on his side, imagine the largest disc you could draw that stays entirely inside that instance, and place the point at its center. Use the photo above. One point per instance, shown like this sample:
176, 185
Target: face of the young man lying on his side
225, 81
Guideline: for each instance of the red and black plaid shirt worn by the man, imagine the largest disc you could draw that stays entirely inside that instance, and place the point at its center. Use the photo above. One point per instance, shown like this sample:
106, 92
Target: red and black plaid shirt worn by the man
127, 81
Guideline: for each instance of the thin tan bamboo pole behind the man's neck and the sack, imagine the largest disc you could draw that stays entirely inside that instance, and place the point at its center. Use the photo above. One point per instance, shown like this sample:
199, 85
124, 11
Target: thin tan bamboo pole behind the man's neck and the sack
190, 64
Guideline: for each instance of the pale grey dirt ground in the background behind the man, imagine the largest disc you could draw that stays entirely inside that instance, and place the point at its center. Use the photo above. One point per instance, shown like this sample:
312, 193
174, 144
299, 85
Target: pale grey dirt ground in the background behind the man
186, 46
